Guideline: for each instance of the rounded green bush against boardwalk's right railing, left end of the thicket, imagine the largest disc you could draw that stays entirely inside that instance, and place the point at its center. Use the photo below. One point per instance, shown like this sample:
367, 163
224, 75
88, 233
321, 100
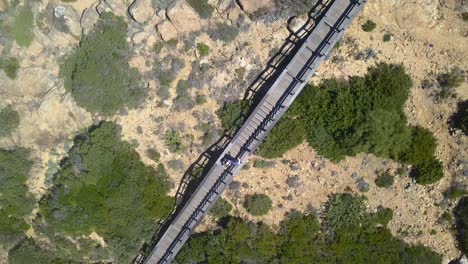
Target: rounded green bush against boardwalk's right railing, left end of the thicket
287, 134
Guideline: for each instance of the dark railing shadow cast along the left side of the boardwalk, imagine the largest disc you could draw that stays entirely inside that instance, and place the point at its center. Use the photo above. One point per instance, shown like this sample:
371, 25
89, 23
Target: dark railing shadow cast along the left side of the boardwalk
253, 95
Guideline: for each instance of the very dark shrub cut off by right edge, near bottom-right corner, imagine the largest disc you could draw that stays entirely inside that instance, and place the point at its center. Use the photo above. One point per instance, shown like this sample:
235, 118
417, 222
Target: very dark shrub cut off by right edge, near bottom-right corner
461, 222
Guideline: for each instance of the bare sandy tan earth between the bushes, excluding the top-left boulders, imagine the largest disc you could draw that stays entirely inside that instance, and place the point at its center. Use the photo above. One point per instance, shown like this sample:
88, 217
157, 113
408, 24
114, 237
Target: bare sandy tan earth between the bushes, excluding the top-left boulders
427, 38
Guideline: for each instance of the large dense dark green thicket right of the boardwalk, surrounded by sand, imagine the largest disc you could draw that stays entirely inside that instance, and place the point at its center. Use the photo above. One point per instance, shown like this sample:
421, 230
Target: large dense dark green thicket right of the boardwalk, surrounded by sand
364, 114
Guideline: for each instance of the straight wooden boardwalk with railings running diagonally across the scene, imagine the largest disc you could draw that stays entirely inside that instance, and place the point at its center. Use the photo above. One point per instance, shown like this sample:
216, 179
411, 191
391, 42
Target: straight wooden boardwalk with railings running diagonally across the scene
315, 49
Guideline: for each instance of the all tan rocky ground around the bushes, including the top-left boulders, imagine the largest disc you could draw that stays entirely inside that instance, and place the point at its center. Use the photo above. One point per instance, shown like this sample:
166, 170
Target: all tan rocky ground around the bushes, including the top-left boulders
428, 37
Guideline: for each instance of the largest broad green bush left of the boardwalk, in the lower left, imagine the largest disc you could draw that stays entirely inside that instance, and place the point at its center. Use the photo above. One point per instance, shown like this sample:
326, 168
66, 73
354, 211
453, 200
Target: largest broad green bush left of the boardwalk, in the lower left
104, 187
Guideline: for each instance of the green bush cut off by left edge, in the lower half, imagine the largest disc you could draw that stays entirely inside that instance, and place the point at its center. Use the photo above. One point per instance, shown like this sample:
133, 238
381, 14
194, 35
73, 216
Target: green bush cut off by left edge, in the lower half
16, 203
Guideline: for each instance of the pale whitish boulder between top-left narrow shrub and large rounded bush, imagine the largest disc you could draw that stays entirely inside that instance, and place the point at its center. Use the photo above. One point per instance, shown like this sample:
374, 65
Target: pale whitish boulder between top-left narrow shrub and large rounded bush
67, 20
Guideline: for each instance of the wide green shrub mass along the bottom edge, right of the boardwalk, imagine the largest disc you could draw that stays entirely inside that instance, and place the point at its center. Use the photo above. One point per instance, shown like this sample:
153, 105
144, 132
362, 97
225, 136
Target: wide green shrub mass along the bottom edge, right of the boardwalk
300, 239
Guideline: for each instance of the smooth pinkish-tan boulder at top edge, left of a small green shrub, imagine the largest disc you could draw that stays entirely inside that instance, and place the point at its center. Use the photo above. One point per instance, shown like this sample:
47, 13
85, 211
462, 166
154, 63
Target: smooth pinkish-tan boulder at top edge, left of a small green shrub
183, 17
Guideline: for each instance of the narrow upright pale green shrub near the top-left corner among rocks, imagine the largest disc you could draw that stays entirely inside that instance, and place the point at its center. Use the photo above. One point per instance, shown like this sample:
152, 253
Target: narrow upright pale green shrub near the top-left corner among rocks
23, 26
